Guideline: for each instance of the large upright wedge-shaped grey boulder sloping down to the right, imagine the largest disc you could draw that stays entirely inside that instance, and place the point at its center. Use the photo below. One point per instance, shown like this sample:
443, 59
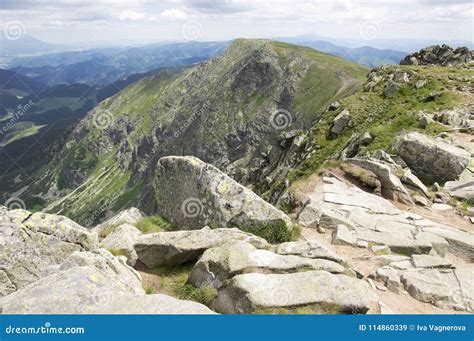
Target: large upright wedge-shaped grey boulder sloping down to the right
193, 194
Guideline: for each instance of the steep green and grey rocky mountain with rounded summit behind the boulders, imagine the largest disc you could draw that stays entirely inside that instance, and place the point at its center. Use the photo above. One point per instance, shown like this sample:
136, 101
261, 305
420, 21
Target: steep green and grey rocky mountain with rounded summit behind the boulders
231, 112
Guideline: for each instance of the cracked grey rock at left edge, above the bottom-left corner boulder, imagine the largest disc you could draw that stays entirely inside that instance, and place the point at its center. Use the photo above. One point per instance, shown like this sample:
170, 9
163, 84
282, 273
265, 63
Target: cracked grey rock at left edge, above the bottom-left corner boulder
30, 243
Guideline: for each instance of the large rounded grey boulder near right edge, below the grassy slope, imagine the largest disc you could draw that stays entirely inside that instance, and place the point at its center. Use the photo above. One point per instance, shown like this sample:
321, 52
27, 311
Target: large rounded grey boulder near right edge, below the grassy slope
430, 157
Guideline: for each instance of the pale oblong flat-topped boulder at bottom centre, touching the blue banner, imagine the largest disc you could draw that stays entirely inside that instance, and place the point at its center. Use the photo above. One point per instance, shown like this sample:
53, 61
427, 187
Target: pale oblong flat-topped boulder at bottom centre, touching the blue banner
315, 291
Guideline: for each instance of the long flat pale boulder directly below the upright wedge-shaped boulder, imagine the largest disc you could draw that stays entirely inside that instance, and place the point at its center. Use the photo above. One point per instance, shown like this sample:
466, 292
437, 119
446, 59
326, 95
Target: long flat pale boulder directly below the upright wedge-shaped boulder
178, 247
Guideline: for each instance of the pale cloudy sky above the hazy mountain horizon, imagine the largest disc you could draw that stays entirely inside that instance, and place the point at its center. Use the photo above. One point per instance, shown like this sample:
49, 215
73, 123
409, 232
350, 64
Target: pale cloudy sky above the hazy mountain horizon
144, 21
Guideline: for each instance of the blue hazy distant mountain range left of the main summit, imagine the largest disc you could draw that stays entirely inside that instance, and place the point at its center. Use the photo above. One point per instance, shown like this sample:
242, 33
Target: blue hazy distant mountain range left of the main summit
103, 66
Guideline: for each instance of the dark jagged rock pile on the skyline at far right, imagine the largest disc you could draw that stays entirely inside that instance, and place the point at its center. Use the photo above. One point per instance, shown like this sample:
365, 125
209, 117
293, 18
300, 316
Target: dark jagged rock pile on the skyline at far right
440, 55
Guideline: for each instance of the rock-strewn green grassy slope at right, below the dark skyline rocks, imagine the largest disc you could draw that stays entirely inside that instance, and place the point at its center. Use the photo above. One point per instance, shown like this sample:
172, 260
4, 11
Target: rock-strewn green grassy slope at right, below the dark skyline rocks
385, 117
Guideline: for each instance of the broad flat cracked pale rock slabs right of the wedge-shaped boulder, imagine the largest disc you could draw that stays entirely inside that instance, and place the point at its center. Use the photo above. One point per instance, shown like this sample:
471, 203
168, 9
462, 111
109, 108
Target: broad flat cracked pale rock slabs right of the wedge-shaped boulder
356, 216
